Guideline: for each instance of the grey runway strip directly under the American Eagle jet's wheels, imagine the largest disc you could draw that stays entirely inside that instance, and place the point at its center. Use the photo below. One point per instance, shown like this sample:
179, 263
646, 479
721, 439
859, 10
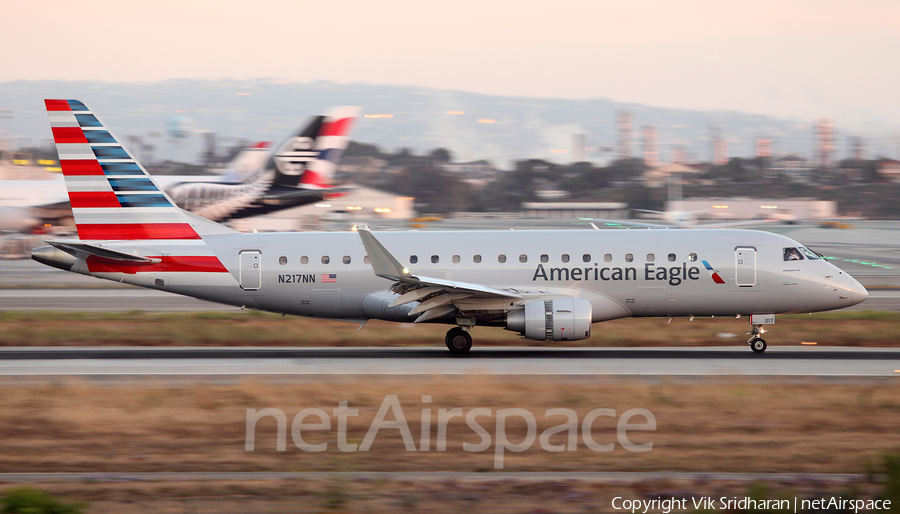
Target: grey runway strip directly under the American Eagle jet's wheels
736, 361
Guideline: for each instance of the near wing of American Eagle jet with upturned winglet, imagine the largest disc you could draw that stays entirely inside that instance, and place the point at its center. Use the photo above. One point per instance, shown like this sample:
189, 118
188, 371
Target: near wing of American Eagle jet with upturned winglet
436, 296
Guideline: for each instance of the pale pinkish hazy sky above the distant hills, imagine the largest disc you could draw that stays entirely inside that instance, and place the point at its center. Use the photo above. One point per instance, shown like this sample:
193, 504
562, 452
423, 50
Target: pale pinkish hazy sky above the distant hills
789, 58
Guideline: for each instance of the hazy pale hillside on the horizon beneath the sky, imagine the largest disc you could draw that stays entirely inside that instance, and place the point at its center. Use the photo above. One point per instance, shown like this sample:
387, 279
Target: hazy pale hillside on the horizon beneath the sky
178, 117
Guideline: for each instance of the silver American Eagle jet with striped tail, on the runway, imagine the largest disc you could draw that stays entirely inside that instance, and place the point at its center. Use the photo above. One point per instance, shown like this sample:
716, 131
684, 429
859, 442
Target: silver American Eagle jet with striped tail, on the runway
545, 285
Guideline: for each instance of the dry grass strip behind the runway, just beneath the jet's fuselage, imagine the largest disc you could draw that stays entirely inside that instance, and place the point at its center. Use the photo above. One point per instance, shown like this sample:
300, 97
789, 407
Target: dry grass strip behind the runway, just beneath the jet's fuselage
252, 328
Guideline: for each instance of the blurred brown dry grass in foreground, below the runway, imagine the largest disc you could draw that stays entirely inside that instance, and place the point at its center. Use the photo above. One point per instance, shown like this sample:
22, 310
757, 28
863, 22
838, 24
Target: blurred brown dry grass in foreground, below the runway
735, 426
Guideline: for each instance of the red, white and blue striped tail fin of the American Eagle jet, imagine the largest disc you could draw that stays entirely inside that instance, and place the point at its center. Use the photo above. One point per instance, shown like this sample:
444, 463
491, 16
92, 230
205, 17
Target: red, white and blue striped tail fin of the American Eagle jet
111, 194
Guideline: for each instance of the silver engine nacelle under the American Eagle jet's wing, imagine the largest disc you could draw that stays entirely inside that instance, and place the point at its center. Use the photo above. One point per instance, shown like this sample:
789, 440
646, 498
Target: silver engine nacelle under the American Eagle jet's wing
562, 319
